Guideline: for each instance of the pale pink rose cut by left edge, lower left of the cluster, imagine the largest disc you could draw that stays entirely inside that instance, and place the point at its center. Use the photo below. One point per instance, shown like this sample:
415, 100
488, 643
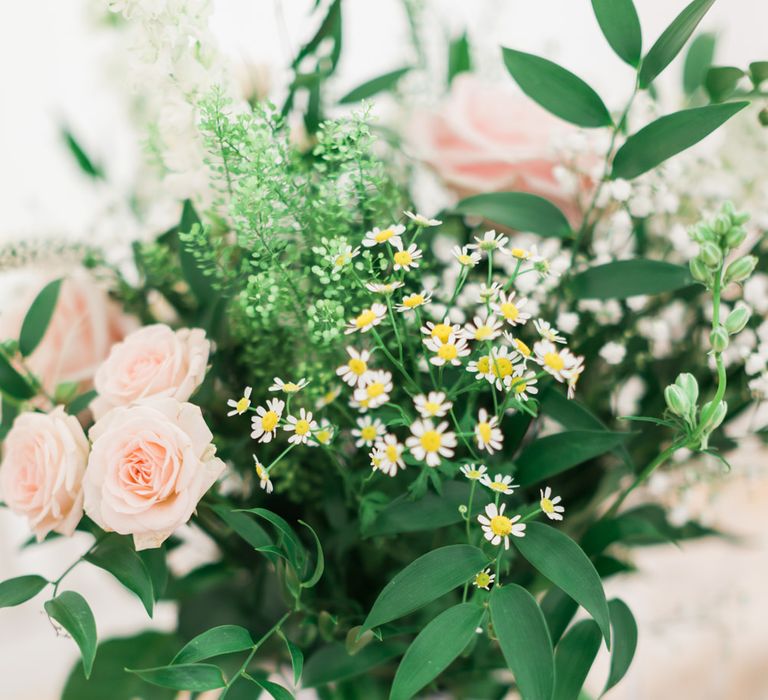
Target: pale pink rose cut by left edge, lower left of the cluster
44, 458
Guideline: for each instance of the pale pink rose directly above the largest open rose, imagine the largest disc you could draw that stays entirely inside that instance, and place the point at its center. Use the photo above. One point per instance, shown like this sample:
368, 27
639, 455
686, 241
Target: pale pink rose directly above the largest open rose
153, 361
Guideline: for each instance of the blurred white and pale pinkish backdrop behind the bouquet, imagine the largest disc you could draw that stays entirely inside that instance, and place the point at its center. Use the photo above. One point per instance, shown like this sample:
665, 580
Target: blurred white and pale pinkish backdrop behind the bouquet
54, 60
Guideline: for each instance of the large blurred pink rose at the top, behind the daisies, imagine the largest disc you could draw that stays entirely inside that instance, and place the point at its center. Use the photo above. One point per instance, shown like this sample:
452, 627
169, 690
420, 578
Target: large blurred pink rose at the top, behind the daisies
488, 138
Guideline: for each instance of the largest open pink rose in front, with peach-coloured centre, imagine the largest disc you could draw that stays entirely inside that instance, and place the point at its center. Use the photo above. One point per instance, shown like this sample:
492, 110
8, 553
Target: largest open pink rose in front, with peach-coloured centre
150, 464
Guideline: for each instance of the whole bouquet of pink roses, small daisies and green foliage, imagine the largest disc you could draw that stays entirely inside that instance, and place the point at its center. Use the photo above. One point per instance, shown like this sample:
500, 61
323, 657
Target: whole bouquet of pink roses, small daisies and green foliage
399, 432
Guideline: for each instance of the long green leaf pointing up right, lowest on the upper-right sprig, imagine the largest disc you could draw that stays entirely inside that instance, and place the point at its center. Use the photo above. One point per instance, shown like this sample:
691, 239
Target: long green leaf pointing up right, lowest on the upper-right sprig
668, 136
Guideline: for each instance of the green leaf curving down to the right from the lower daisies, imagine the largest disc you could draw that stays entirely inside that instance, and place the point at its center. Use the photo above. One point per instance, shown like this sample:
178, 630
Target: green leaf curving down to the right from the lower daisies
558, 558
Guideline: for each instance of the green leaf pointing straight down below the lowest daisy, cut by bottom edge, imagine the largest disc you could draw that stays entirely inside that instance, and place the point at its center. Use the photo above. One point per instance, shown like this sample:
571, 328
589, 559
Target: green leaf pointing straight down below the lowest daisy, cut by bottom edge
524, 639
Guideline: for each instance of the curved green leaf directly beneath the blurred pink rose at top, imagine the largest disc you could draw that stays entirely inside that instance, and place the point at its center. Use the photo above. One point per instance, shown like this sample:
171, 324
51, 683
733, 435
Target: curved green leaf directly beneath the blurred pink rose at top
518, 210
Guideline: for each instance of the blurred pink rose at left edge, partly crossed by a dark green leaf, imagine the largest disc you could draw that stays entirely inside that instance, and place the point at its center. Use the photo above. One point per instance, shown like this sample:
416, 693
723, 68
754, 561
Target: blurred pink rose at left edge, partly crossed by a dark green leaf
84, 326
